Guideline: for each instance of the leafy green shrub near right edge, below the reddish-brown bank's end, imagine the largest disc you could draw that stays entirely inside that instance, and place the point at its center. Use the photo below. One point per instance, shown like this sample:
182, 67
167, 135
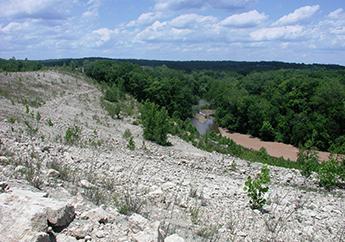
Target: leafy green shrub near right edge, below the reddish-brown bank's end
328, 174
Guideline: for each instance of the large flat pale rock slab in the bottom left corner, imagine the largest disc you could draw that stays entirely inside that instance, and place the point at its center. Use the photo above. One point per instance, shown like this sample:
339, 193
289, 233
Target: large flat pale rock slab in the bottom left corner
24, 214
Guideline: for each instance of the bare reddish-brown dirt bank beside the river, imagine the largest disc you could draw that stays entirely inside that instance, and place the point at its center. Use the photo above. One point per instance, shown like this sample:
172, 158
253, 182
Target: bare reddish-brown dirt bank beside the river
275, 149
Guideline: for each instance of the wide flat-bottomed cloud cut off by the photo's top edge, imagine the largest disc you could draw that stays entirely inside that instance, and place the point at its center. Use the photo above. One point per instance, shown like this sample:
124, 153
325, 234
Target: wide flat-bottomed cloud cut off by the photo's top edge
176, 5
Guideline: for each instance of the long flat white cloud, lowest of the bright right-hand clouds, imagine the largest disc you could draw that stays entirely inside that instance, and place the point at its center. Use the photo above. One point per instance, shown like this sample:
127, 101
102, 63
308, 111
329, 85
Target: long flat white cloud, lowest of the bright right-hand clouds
278, 33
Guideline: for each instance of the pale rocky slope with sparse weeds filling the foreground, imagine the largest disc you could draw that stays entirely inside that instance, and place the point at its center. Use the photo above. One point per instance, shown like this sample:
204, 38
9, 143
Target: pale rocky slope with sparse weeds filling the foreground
97, 189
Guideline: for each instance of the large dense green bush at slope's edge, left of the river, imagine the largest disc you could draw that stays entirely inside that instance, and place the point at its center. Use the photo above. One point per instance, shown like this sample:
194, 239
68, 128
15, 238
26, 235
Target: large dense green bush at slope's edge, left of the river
155, 121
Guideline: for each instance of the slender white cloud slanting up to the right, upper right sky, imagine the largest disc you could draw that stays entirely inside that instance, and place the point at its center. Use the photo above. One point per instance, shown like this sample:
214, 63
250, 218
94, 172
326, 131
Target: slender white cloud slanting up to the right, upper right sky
298, 15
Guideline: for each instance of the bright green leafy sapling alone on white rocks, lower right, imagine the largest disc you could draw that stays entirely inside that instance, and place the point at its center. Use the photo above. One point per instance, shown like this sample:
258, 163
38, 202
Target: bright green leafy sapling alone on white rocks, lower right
256, 188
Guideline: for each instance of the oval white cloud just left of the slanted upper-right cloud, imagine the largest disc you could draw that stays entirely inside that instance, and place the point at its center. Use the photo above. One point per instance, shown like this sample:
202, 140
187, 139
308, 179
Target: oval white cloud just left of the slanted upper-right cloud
247, 19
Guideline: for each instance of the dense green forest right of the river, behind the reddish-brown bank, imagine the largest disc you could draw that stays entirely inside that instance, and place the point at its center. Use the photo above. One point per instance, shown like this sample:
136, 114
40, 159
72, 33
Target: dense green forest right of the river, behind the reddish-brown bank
299, 107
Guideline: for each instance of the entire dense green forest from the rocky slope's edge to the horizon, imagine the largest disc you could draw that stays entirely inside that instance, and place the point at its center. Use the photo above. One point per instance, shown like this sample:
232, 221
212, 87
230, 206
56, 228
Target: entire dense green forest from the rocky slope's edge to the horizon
299, 104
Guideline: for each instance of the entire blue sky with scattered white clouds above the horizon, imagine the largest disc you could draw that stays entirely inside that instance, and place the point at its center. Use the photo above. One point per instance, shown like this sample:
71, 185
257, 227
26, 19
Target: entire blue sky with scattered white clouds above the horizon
247, 30
